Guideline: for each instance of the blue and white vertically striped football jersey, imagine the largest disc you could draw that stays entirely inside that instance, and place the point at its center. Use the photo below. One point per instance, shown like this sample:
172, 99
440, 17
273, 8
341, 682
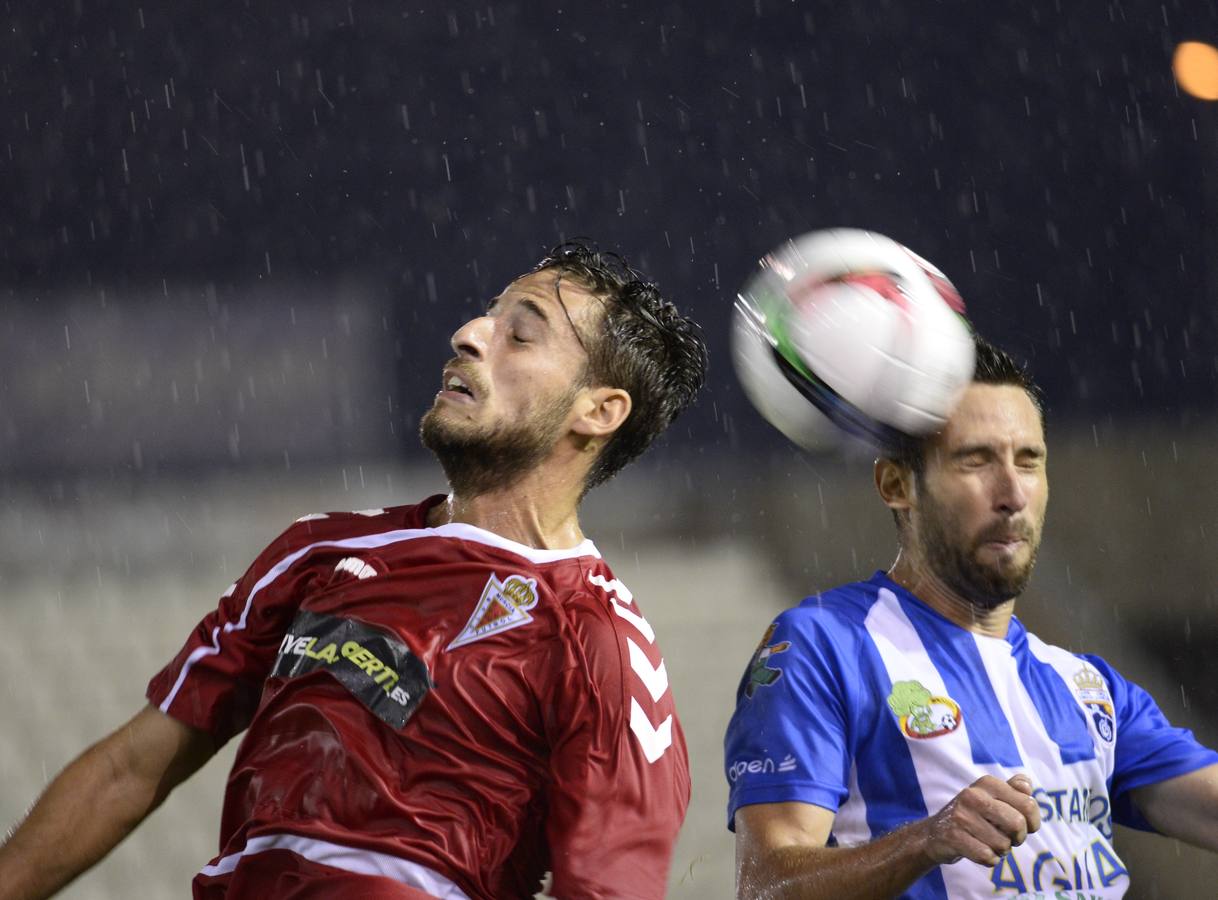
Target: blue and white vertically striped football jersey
867, 702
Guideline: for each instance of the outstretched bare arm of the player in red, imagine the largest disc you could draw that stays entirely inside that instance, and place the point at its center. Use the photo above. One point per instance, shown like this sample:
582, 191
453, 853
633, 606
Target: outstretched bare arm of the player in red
97, 802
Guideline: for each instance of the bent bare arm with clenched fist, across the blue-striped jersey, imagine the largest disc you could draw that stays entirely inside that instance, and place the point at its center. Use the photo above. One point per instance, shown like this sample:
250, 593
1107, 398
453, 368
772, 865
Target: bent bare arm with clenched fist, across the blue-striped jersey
780, 848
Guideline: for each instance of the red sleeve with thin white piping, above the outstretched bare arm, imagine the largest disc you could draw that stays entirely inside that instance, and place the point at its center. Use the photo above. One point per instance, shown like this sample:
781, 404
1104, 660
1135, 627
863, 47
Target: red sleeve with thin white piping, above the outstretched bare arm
216, 680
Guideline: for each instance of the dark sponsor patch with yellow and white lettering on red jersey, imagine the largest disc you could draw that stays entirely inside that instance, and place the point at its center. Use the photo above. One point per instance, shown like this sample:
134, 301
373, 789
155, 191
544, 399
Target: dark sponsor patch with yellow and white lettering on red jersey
377, 668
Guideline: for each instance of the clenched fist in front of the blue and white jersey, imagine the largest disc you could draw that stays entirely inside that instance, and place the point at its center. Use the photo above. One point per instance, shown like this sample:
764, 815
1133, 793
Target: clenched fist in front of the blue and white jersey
984, 821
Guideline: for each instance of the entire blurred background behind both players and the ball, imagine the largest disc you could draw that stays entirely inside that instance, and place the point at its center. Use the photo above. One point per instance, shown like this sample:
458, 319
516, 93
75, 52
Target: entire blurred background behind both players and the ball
237, 237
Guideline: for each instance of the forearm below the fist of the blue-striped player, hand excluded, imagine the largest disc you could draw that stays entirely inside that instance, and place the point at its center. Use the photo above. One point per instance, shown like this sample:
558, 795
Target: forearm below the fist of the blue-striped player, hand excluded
874, 871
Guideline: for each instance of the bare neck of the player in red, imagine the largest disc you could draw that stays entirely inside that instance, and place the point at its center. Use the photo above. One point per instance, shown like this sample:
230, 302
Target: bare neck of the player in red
538, 511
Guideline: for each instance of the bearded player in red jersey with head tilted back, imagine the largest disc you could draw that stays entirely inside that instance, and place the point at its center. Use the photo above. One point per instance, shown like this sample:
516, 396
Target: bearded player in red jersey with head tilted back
444, 700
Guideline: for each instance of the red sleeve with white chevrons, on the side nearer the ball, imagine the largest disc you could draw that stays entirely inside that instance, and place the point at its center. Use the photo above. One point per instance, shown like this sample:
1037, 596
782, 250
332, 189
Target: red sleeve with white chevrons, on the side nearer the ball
619, 767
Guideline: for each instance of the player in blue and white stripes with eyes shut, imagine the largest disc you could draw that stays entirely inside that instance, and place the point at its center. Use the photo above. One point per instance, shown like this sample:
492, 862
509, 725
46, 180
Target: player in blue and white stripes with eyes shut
908, 737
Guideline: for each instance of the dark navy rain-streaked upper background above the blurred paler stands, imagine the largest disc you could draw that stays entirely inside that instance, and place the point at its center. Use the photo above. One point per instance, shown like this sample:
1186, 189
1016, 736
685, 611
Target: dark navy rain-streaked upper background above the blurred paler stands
1041, 154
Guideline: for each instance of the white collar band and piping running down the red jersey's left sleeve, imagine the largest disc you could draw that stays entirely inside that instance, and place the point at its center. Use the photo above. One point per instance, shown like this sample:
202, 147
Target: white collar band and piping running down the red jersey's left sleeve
457, 530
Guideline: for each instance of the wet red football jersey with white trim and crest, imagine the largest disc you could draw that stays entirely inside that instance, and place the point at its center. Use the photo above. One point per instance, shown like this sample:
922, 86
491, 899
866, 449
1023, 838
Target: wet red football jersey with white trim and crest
439, 707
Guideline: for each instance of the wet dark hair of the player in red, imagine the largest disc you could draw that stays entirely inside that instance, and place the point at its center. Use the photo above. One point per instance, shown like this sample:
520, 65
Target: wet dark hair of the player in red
644, 345
